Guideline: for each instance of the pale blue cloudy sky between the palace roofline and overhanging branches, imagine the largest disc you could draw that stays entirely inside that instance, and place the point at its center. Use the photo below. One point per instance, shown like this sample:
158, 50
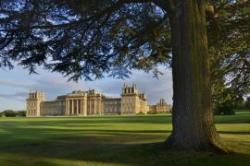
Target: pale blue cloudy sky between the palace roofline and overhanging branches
15, 85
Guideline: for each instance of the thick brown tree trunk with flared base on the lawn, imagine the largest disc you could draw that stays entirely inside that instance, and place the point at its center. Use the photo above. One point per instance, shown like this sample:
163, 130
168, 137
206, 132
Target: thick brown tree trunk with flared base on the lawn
193, 125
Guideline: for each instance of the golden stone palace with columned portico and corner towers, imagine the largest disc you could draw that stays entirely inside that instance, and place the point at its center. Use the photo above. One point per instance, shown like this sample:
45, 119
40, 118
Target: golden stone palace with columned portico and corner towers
84, 103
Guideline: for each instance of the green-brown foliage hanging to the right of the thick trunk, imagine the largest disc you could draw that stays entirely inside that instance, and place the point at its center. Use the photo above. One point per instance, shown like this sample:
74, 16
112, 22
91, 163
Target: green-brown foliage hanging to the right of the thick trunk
229, 36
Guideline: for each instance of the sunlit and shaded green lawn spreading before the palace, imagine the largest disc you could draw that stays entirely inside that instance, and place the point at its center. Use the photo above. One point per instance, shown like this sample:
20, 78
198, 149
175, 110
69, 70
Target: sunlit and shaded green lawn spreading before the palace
117, 140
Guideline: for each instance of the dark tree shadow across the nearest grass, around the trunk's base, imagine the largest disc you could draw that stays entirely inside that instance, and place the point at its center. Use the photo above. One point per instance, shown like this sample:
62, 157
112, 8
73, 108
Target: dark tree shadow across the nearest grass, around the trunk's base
97, 149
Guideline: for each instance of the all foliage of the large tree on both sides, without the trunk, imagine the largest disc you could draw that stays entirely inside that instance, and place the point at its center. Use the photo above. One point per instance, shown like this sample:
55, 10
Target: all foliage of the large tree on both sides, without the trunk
86, 39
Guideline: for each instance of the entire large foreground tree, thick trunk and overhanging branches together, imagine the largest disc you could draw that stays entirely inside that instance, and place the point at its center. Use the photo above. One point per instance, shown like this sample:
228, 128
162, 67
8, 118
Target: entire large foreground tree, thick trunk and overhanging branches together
89, 39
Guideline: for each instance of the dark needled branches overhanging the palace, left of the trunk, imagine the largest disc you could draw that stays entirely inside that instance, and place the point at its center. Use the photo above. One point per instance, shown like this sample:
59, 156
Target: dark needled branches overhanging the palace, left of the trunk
84, 39
